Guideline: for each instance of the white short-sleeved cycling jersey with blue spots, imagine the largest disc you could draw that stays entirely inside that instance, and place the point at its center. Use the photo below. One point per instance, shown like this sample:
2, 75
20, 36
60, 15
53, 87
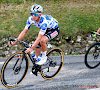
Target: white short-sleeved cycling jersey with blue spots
46, 21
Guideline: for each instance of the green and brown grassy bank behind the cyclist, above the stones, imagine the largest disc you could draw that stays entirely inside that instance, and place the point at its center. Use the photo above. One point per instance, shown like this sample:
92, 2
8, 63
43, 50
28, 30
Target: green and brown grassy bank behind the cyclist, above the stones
74, 16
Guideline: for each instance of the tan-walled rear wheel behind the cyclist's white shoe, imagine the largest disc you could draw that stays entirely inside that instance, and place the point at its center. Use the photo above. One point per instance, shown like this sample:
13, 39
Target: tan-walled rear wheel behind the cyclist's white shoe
54, 63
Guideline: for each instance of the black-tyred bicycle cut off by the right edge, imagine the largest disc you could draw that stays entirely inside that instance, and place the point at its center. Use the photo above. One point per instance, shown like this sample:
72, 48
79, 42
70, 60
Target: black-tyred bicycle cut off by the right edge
92, 56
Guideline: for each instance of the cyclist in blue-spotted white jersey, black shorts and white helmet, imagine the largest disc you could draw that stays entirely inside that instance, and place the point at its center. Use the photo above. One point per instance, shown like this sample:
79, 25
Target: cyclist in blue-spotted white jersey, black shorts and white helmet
48, 30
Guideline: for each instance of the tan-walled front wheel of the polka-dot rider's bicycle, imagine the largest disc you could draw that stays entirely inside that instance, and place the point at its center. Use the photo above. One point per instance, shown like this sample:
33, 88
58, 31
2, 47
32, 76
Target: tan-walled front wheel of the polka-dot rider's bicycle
11, 79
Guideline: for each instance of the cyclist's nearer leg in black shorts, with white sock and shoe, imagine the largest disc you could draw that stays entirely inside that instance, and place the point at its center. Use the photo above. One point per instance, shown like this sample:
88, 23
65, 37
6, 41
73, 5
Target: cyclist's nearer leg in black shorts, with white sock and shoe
48, 36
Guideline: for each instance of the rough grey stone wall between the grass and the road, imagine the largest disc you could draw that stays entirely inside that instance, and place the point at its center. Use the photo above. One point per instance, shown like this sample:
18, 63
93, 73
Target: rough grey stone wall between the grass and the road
76, 46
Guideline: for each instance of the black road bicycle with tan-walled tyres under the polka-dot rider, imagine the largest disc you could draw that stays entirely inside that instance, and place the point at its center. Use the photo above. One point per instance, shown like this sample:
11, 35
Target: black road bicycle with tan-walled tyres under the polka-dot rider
16, 66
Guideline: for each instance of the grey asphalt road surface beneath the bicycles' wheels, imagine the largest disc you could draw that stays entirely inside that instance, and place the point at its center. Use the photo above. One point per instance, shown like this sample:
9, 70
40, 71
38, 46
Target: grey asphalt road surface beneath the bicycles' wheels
73, 76
